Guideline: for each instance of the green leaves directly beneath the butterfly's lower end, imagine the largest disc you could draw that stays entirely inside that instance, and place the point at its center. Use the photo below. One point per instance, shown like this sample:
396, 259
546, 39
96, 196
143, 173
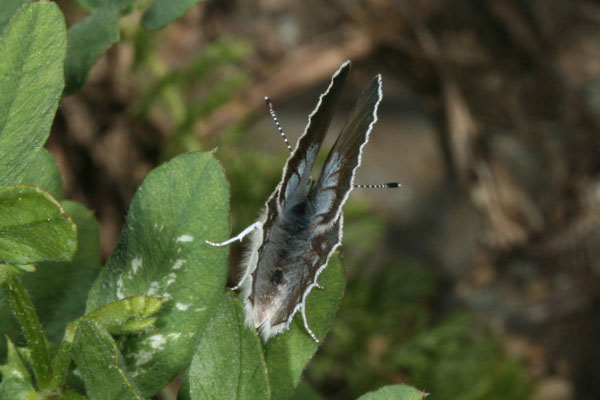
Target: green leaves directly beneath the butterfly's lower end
227, 345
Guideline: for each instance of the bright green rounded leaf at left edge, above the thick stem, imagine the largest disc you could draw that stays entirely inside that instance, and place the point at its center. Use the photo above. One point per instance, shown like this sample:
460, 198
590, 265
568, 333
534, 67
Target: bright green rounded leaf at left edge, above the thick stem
34, 227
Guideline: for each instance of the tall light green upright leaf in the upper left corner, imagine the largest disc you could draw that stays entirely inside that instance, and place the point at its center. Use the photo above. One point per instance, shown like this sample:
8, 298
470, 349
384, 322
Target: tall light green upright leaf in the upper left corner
32, 53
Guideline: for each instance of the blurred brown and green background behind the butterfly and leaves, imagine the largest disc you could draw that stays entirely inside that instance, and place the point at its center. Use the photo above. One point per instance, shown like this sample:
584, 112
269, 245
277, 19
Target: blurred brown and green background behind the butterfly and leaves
480, 277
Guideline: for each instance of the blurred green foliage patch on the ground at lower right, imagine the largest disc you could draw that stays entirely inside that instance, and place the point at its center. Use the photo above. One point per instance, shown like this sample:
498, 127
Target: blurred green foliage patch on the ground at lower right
387, 319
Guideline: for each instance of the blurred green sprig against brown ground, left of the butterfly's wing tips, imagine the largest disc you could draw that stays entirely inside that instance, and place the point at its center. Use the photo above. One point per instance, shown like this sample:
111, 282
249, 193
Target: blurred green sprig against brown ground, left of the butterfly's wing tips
192, 93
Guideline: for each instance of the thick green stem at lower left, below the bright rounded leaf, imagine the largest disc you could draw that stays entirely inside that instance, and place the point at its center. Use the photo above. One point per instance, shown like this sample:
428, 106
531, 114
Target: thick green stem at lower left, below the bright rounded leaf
23, 309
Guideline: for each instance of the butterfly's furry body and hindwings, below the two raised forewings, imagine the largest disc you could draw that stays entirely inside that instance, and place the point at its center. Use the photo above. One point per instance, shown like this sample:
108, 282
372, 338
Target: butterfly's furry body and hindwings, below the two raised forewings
289, 254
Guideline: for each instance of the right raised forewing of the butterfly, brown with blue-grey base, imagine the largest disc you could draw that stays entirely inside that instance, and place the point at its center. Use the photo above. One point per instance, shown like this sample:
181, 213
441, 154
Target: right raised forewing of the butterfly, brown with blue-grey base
335, 183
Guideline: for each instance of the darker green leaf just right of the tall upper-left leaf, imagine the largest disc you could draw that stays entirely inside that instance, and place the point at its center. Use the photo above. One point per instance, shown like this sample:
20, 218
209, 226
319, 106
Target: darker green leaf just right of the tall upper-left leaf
88, 40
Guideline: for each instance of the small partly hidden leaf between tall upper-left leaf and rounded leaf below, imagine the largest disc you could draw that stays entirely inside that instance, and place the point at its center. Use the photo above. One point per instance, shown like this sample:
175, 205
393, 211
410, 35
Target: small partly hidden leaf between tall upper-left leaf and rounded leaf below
43, 172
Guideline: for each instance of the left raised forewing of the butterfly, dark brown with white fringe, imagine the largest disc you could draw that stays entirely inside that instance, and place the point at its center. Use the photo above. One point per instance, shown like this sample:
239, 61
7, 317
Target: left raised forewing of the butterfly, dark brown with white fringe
296, 173
